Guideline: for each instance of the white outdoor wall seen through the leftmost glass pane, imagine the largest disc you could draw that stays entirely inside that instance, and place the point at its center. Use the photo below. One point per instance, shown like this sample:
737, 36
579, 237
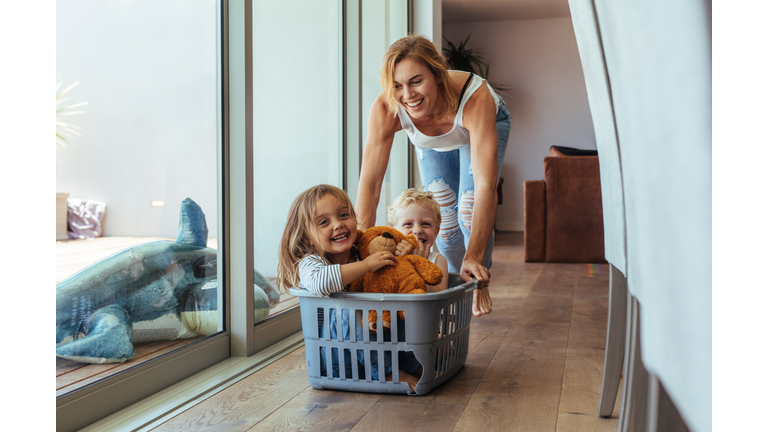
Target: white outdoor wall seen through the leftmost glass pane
148, 71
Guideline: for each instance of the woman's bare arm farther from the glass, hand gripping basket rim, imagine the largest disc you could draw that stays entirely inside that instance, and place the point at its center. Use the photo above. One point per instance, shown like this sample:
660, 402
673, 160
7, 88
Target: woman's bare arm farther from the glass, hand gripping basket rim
480, 120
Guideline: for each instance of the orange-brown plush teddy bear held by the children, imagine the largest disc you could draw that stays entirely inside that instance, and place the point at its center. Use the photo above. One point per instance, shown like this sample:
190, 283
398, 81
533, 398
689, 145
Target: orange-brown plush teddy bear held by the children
409, 275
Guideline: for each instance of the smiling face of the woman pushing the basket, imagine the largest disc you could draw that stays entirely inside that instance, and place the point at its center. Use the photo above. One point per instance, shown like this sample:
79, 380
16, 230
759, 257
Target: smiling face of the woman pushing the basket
416, 88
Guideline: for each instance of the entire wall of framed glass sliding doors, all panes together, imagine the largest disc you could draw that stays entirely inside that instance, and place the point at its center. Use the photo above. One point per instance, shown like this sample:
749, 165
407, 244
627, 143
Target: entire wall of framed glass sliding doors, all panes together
220, 111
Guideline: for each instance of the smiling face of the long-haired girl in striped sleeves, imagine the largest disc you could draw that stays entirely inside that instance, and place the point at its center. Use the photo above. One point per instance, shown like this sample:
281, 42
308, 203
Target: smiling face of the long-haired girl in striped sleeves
336, 226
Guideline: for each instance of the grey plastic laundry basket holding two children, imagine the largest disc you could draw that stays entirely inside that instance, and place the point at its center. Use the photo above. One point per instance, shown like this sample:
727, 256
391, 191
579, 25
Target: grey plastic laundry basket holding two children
436, 331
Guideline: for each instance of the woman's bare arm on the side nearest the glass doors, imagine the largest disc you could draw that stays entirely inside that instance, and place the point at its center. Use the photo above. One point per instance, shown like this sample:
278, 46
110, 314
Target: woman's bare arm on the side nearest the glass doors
381, 132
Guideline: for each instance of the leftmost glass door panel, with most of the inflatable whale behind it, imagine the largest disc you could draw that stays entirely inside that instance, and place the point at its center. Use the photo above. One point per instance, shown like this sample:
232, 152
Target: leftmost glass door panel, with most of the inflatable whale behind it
139, 278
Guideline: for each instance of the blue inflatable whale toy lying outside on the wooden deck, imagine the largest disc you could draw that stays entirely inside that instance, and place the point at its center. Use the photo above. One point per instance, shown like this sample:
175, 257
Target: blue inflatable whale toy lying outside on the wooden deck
162, 290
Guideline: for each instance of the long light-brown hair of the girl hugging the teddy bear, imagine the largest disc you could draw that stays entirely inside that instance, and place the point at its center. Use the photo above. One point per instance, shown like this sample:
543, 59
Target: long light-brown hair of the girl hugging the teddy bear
301, 236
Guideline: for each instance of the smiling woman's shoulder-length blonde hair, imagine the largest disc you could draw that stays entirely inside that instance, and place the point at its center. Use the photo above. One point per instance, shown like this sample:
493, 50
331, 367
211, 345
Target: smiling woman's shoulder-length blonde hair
419, 48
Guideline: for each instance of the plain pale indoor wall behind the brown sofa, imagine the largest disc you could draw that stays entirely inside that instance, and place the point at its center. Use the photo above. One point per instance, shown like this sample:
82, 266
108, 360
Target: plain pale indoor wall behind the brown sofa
540, 61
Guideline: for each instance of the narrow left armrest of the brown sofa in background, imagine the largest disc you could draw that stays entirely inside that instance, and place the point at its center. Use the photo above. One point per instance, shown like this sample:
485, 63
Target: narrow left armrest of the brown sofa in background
535, 222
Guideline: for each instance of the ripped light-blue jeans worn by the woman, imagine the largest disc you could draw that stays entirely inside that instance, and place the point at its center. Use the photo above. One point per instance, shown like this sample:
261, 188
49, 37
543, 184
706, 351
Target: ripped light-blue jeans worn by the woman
448, 175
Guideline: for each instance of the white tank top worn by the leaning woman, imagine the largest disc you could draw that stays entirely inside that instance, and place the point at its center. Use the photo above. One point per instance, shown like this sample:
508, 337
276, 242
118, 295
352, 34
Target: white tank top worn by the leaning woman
458, 136
